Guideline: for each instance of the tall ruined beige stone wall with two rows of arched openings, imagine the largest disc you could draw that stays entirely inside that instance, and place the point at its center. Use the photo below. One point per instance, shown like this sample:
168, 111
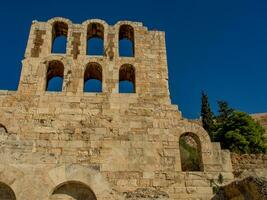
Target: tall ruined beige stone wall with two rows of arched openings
108, 145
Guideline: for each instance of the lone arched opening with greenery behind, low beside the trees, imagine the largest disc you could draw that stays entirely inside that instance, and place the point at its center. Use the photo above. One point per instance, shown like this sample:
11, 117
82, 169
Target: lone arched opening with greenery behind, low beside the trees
190, 152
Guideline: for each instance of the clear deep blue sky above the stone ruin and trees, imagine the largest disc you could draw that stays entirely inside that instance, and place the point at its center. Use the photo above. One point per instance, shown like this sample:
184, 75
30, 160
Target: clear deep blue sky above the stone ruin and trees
216, 46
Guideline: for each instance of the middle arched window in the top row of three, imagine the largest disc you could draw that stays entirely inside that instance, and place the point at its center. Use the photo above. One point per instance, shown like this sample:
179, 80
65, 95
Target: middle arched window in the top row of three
95, 39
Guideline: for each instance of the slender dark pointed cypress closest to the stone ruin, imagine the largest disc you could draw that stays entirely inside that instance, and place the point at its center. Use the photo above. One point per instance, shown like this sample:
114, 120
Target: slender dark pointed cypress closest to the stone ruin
207, 116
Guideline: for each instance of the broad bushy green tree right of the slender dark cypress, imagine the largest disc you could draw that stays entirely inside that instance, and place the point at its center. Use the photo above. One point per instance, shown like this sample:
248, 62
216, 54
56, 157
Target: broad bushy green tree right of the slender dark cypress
238, 132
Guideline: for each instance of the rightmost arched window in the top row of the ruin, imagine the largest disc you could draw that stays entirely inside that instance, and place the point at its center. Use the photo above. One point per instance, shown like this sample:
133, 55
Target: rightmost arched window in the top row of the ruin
126, 41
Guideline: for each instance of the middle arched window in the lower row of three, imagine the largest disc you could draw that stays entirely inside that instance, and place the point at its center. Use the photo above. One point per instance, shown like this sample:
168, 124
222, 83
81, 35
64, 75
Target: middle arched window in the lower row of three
93, 78
